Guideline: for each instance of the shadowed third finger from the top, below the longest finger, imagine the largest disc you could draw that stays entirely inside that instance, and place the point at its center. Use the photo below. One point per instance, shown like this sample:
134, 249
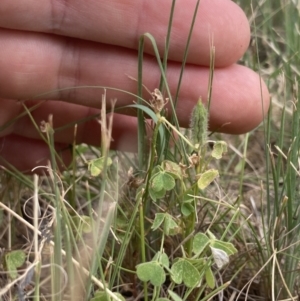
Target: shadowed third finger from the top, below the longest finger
72, 124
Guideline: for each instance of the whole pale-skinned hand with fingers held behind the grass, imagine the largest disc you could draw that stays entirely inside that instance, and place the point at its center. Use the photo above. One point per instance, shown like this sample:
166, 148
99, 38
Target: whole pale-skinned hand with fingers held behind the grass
49, 45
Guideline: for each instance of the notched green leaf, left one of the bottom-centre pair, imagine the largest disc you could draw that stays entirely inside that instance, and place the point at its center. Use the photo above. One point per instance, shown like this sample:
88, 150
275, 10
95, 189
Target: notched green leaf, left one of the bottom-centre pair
151, 271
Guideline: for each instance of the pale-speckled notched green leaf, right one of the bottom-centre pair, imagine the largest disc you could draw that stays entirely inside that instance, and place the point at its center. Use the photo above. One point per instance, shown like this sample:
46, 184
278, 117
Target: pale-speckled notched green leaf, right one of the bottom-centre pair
184, 271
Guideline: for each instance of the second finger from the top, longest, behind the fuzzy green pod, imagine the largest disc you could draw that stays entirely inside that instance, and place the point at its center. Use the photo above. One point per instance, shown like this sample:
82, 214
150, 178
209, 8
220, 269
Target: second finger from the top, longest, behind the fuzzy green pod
236, 89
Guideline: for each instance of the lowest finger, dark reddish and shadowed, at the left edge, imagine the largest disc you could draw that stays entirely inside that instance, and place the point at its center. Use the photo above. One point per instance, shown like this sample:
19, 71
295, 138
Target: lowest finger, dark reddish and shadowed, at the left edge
25, 154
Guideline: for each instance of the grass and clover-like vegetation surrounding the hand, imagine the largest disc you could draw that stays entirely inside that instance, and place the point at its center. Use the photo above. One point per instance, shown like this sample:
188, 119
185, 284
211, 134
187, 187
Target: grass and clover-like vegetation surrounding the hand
164, 227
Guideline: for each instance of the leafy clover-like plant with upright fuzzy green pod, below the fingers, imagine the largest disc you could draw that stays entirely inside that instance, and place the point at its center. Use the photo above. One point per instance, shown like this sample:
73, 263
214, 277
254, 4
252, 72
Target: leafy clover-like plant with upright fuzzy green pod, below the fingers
167, 203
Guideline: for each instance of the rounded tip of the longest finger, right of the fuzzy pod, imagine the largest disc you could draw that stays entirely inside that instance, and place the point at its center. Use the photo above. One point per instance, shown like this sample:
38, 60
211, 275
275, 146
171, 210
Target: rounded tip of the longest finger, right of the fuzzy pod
242, 104
